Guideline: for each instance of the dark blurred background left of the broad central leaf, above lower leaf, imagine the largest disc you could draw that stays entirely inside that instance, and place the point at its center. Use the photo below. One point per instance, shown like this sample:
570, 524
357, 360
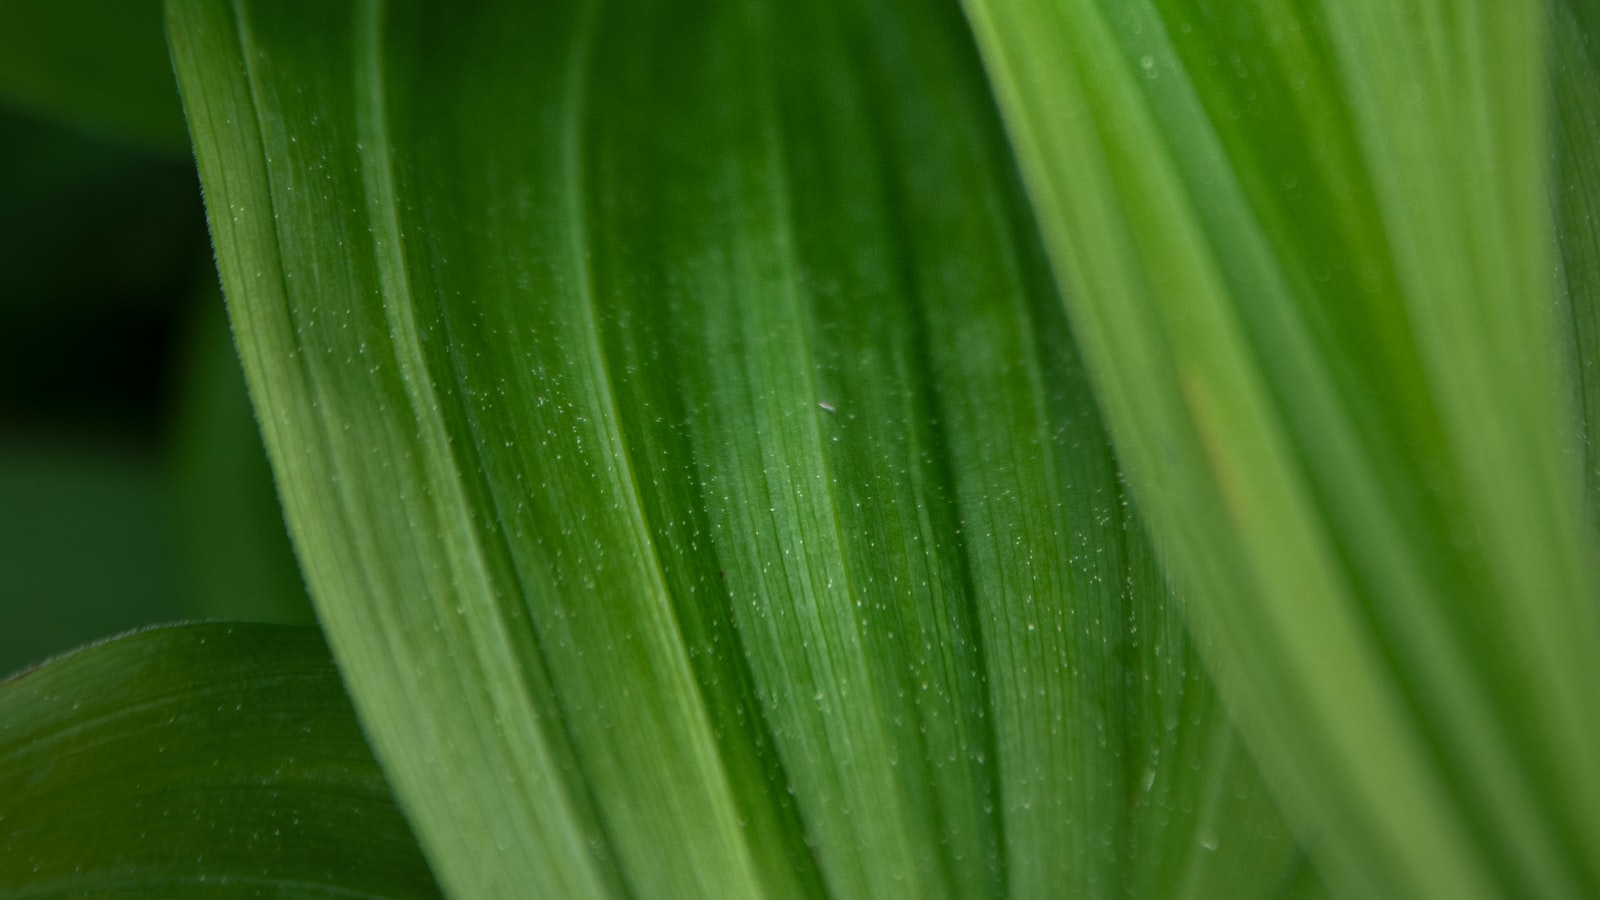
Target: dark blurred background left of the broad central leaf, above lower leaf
134, 489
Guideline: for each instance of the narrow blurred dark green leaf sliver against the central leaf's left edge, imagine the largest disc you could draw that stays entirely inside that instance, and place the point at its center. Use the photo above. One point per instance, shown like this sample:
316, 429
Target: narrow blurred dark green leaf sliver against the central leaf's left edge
234, 555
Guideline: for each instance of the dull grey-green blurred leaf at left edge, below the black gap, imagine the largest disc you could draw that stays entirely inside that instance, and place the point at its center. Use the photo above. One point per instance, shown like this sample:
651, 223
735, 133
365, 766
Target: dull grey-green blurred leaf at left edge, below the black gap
86, 547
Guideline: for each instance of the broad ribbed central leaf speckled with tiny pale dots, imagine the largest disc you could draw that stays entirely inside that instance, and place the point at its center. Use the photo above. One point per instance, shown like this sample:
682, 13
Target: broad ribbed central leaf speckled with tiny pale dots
690, 459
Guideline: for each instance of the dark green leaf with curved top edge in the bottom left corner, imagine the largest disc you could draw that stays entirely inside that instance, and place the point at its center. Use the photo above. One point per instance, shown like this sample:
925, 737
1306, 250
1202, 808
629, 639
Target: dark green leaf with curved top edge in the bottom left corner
201, 760
